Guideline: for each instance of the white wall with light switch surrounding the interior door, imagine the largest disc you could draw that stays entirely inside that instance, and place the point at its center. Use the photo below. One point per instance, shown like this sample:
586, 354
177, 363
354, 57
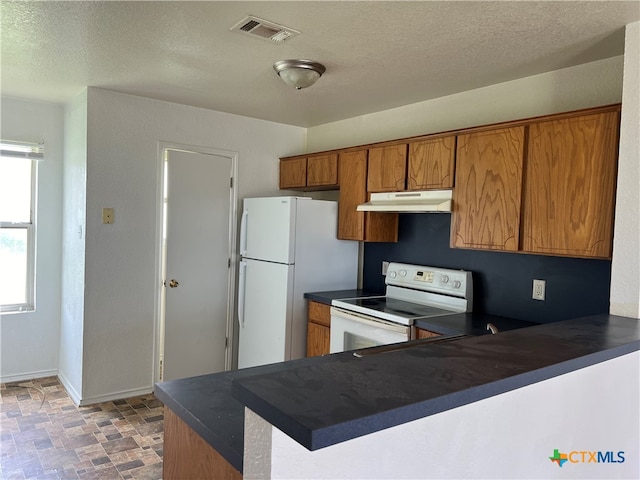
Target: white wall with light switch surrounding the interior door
123, 133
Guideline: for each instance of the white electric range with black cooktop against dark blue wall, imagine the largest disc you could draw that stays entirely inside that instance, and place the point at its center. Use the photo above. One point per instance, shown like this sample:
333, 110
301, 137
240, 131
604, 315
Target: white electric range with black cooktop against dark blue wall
412, 292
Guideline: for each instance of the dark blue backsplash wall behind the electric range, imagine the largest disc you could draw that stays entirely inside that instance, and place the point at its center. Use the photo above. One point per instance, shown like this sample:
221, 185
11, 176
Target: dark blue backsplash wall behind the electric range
503, 282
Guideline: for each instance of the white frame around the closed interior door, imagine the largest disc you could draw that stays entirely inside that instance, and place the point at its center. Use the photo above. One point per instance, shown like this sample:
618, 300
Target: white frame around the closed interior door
158, 343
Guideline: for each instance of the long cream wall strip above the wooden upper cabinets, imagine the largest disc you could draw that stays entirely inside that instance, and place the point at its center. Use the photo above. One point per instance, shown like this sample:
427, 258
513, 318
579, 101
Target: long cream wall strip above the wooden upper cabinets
589, 85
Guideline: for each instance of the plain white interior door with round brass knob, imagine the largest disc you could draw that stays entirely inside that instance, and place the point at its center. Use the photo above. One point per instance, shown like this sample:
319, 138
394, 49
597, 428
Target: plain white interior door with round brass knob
199, 219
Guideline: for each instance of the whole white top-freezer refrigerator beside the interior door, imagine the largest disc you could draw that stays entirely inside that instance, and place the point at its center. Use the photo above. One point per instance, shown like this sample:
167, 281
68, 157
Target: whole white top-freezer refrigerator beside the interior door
288, 247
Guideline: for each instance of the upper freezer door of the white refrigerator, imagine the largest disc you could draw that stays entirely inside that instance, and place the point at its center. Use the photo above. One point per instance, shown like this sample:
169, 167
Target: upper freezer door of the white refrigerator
267, 230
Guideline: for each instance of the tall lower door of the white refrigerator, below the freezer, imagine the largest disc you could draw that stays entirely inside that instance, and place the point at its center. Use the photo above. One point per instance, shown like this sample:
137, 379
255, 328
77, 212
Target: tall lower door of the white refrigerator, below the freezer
264, 312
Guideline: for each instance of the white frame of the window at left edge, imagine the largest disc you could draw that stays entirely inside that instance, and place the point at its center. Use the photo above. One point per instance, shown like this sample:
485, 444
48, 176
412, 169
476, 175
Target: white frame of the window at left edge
30, 282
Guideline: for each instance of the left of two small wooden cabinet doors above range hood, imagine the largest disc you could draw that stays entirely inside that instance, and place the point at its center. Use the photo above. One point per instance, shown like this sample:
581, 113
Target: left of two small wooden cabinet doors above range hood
387, 169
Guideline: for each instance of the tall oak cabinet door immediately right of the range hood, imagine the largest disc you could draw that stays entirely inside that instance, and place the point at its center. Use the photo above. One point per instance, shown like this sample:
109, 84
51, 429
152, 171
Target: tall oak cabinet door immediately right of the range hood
486, 201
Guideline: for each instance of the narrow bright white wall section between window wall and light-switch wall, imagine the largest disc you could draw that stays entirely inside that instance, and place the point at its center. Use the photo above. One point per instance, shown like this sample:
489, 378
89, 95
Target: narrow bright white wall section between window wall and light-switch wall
73, 249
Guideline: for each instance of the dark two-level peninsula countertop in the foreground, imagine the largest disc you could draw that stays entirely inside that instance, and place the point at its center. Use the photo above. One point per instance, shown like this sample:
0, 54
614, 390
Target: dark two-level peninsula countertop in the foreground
322, 401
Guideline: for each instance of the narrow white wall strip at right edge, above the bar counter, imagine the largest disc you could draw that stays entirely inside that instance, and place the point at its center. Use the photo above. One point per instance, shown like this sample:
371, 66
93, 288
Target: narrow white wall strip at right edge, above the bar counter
625, 269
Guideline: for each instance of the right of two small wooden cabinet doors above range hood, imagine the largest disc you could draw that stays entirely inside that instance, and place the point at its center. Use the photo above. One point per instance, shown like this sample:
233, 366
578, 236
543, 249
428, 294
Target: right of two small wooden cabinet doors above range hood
431, 163
